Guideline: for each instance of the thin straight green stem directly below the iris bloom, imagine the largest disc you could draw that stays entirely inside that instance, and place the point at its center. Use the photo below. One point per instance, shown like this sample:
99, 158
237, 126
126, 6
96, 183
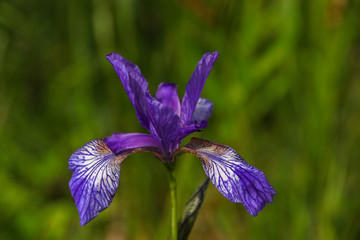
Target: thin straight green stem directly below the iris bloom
172, 183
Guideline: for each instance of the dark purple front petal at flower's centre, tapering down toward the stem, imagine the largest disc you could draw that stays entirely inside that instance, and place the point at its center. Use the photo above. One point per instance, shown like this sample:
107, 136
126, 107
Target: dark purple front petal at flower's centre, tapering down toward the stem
165, 124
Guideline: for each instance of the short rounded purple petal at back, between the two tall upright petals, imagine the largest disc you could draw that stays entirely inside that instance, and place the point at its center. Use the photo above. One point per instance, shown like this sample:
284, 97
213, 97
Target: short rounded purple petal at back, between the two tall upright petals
167, 95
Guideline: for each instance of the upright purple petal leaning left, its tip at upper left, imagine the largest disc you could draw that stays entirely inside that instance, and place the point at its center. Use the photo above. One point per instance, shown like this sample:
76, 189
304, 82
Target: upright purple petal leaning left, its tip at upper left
134, 83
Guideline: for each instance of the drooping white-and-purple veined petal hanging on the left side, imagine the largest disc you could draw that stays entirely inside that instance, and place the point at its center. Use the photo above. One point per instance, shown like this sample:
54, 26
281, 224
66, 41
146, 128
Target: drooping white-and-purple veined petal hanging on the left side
95, 178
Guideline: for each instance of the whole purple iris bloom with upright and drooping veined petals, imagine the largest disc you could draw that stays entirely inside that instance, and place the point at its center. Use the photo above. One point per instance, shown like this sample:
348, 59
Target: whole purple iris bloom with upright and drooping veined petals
96, 165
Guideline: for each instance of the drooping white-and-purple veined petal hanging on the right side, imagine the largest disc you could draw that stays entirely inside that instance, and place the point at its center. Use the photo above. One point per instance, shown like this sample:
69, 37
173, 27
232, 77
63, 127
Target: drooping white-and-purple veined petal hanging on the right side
231, 175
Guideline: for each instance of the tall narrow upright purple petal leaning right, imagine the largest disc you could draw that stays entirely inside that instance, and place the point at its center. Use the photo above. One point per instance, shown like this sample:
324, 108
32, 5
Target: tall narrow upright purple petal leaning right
195, 86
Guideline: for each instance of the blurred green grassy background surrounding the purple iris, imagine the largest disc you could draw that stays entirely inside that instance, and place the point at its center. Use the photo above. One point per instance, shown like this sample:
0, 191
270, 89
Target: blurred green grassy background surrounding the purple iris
286, 96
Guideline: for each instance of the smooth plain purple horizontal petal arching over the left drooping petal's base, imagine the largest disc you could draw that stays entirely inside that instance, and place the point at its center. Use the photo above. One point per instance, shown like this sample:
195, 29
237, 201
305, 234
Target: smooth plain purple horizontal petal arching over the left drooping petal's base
123, 141
